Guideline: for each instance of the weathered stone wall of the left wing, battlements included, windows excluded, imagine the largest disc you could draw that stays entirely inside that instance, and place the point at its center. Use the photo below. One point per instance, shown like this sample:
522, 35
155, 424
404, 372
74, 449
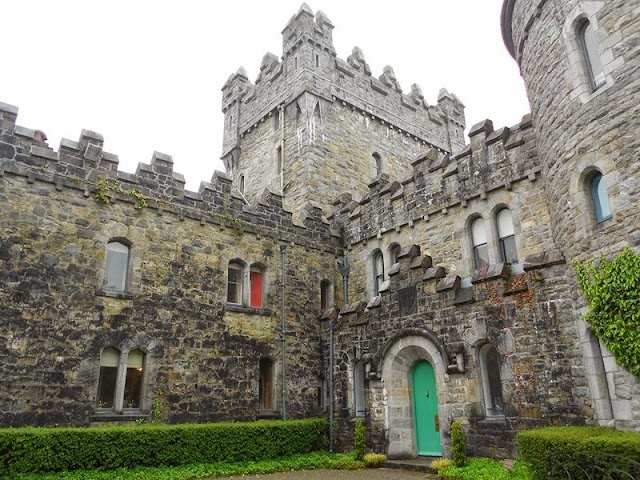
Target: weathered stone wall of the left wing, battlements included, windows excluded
202, 354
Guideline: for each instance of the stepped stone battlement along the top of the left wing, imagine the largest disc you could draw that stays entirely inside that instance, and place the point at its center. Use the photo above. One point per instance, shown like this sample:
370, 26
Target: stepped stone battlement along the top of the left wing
84, 166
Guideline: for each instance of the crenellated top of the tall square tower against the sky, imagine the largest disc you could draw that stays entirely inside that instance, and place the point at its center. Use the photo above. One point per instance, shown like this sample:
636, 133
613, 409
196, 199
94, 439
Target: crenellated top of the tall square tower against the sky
309, 64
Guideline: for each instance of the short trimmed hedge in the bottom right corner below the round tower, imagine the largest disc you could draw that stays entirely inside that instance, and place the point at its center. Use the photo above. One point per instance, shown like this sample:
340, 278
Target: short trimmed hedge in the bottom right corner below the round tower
580, 452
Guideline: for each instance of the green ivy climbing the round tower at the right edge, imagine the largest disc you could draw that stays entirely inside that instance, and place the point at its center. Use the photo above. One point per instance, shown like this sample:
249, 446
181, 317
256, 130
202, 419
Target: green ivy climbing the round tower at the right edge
613, 291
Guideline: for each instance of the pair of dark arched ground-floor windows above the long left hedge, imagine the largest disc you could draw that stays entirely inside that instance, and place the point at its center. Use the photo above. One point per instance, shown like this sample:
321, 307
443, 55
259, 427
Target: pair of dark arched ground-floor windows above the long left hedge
120, 381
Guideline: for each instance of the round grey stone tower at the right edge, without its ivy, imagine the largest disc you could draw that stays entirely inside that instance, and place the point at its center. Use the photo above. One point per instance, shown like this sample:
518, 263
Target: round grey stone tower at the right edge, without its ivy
580, 63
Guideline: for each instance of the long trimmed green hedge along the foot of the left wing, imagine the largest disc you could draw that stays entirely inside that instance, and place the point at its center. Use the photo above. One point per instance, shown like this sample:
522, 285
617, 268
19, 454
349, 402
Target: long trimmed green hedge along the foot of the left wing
33, 450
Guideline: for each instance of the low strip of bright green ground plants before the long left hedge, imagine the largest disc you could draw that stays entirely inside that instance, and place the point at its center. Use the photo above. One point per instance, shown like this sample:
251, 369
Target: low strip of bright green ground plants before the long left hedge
310, 461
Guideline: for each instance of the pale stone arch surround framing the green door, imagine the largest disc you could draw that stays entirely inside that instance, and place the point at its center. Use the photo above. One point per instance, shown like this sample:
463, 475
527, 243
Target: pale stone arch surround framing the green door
397, 364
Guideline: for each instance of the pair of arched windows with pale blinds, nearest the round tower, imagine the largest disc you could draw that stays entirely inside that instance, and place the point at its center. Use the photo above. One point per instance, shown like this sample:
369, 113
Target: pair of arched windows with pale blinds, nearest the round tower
506, 240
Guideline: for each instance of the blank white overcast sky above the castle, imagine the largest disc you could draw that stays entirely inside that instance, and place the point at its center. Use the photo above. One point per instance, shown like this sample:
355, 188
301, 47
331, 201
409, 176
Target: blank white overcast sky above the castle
147, 74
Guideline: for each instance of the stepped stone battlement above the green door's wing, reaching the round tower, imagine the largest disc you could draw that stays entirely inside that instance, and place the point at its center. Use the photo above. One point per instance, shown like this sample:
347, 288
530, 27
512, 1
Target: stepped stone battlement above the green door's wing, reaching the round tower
494, 161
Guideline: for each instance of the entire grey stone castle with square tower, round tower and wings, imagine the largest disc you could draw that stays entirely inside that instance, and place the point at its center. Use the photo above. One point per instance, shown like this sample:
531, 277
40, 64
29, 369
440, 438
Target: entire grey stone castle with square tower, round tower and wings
358, 257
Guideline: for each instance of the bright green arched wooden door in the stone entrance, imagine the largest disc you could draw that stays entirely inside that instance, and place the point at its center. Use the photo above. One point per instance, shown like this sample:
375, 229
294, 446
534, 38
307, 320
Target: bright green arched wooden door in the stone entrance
425, 407
